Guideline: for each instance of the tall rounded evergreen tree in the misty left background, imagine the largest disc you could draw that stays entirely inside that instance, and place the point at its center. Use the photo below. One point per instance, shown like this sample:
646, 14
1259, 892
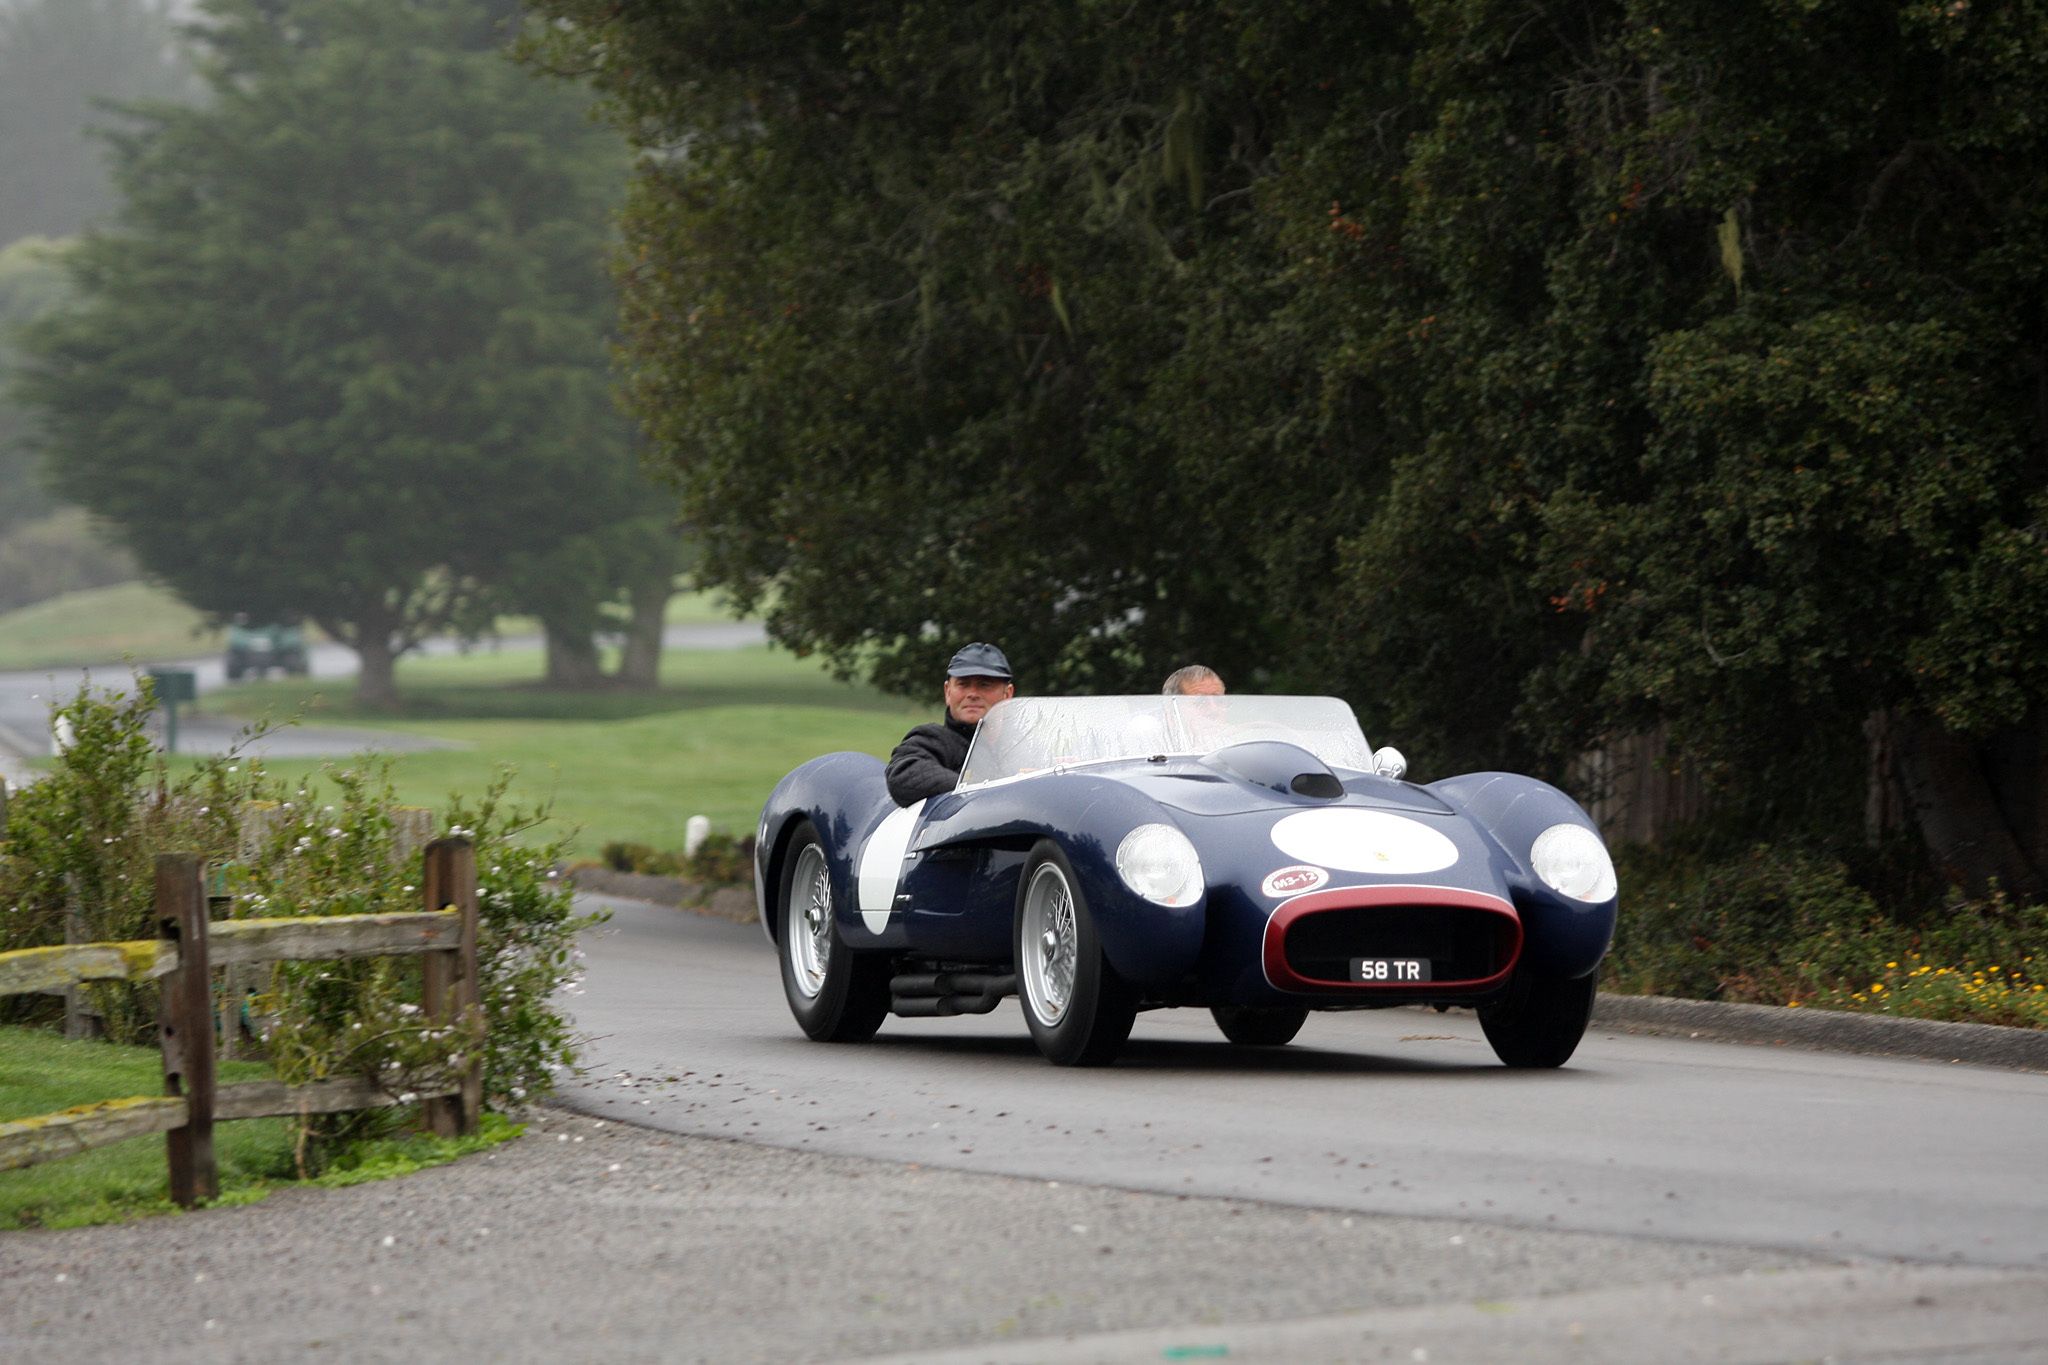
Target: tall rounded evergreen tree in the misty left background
343, 357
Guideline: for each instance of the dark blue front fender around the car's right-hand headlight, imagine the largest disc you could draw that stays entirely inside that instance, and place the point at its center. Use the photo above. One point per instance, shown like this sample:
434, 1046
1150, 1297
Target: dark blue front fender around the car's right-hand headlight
1564, 936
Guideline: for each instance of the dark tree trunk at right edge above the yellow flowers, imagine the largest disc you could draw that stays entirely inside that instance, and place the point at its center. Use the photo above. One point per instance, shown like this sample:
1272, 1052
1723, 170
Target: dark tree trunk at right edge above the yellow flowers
1951, 793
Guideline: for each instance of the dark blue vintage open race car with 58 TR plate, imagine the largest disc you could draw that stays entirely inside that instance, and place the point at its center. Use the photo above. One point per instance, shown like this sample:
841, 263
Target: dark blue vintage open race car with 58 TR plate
1240, 854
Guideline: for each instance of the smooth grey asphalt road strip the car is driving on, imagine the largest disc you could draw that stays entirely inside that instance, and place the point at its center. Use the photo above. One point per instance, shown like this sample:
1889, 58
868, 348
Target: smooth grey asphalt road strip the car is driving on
1375, 1112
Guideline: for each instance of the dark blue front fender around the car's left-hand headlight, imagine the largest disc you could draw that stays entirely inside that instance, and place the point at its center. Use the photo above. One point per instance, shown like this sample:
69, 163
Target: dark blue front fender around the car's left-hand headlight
1089, 818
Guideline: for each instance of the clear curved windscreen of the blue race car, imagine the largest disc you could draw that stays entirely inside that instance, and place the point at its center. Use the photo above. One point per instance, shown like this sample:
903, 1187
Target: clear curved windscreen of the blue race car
1039, 734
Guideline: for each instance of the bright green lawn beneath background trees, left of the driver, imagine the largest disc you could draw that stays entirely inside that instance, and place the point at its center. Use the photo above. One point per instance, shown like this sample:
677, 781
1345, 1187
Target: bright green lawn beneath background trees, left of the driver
620, 766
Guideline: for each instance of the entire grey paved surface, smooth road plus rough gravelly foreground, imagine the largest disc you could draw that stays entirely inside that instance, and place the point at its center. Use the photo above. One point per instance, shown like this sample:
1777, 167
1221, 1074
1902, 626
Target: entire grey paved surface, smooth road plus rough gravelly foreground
943, 1198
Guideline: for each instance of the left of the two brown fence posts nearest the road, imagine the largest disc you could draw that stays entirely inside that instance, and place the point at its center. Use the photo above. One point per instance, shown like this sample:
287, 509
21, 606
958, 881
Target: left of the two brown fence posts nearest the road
187, 1026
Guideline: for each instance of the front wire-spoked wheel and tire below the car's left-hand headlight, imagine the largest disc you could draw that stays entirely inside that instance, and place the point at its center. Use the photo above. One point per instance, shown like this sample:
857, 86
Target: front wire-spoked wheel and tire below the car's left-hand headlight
1078, 1008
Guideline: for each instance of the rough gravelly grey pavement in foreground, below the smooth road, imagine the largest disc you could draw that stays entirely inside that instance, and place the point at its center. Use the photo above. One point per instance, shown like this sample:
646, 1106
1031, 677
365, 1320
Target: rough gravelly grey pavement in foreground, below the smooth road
605, 1243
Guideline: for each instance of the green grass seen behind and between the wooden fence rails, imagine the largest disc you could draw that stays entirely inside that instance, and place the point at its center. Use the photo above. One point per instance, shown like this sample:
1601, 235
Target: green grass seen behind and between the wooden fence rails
42, 1073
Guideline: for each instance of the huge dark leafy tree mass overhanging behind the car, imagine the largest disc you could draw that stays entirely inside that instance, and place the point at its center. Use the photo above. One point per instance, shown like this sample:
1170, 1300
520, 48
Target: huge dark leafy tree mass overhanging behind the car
1529, 373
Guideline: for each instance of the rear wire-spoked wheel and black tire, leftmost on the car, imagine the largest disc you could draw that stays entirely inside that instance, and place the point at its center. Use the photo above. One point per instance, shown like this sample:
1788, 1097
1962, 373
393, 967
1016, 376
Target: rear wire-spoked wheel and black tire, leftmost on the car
837, 994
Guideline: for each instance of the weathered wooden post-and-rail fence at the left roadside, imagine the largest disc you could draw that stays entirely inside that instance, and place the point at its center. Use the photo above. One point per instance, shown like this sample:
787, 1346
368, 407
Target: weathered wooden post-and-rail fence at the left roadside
185, 953
